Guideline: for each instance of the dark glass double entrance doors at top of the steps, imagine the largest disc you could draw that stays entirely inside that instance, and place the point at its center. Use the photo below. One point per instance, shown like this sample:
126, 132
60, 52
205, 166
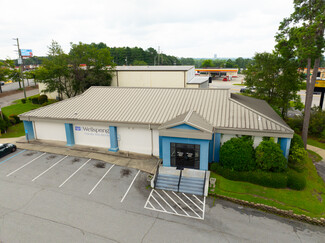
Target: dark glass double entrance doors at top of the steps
185, 155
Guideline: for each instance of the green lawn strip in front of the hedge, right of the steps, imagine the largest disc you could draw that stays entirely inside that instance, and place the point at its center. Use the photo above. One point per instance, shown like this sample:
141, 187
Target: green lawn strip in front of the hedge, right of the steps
310, 201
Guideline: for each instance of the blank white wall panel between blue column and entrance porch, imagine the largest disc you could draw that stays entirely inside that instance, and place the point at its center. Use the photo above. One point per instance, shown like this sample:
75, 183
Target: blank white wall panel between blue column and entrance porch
137, 140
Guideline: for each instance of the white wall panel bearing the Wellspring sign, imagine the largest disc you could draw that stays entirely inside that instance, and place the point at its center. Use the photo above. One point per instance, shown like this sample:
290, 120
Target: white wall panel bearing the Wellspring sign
89, 135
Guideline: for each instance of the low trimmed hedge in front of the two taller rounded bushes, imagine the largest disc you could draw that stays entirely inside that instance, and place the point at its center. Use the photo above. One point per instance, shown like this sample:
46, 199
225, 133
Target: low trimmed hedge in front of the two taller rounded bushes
268, 179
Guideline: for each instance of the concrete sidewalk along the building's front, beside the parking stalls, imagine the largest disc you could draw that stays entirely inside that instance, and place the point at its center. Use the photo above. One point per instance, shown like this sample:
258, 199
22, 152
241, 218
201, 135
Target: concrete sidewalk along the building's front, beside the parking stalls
138, 161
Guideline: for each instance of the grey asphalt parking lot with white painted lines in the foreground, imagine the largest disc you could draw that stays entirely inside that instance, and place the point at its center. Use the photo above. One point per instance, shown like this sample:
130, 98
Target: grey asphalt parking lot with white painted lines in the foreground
56, 198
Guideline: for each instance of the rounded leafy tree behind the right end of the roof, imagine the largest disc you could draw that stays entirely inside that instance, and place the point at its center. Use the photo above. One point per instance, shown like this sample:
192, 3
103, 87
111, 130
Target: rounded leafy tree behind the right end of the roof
276, 79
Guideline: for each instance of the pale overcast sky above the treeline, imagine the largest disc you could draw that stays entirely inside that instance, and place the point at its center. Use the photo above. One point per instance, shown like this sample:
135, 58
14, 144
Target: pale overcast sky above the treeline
198, 29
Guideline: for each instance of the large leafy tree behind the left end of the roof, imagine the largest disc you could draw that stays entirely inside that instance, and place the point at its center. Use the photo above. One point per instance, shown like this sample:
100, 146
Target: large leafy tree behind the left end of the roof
73, 73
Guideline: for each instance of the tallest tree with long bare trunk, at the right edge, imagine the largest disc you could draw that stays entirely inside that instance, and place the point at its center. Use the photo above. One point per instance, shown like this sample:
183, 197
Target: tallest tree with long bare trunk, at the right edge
304, 32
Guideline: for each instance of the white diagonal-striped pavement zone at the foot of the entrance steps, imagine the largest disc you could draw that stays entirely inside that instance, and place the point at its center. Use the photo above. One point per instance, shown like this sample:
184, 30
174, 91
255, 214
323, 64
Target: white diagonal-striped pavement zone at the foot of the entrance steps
180, 204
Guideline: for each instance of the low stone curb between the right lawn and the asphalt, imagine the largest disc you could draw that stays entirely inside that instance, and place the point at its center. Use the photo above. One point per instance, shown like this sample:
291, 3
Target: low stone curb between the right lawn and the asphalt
274, 210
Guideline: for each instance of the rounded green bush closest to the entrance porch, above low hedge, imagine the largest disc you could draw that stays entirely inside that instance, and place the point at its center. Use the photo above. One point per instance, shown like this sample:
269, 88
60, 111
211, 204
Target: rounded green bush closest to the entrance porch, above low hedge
238, 154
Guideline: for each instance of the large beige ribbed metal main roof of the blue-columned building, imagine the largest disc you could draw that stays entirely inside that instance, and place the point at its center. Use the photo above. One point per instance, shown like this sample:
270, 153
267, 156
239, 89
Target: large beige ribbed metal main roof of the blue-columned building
156, 106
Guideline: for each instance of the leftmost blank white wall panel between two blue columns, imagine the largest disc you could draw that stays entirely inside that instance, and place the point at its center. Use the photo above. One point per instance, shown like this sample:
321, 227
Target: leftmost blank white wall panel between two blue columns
49, 131
